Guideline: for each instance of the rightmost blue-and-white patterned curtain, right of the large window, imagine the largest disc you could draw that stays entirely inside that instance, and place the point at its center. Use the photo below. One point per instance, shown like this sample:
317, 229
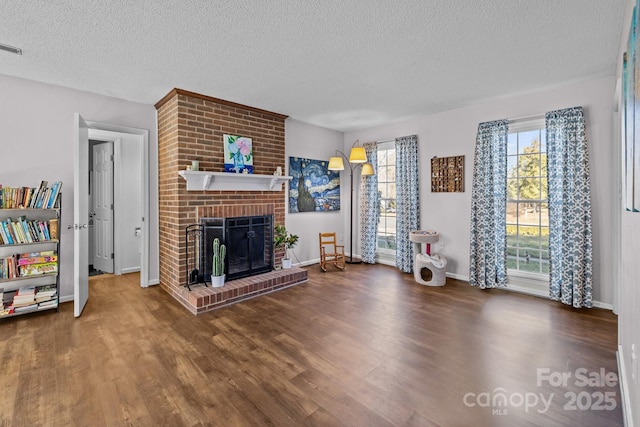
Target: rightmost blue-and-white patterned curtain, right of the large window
570, 247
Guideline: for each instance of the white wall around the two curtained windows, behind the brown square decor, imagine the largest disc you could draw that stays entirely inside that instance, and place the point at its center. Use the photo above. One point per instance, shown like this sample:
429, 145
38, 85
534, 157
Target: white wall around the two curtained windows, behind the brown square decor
453, 133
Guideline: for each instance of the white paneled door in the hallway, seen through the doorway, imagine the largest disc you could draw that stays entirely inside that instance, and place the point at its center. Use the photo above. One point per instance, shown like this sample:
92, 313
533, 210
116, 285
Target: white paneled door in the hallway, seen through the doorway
103, 206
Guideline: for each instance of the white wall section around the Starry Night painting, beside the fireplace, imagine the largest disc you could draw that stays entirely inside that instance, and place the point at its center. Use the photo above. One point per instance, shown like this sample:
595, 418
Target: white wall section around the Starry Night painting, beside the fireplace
312, 142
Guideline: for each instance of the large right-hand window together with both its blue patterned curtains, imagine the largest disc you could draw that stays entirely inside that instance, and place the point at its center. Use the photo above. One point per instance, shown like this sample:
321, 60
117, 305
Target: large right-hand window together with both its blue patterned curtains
509, 166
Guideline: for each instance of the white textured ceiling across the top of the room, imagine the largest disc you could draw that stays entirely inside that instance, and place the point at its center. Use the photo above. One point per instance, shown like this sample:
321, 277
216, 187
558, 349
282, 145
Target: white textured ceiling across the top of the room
340, 64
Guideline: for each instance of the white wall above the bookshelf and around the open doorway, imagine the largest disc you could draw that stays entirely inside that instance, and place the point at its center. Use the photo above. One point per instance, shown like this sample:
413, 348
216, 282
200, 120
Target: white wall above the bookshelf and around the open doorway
36, 136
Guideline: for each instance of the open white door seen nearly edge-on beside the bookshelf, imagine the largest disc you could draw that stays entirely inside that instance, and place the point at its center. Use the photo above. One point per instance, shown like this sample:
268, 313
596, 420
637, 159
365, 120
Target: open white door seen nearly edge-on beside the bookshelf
80, 216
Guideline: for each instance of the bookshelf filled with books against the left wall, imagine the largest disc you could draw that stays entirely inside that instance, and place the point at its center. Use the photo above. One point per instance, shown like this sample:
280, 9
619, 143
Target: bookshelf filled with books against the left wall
29, 250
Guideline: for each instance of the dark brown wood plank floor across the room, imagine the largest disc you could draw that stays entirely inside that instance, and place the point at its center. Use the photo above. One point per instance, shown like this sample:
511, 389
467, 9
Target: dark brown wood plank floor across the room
367, 347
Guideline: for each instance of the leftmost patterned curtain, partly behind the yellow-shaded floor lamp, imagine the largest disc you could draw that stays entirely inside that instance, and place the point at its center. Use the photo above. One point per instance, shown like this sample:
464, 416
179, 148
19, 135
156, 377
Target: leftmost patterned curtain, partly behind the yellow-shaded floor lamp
369, 207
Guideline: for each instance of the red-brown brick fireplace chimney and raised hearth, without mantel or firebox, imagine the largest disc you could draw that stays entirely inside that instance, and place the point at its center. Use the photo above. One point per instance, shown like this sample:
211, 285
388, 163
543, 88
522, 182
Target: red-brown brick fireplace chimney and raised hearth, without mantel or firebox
191, 127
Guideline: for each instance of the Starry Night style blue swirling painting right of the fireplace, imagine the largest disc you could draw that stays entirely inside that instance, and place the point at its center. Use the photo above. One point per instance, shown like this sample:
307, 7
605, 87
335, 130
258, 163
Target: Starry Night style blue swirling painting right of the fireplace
313, 187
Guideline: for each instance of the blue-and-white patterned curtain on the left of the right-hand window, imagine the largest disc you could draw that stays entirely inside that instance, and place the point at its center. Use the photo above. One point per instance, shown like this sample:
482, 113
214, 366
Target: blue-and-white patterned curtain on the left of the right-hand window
488, 259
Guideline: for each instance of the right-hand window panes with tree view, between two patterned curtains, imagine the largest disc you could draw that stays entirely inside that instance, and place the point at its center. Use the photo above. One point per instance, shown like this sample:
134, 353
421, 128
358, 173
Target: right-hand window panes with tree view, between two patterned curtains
527, 202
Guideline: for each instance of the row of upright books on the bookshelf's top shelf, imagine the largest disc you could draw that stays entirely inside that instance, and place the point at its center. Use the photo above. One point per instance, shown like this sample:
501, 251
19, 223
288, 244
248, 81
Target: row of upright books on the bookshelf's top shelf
40, 197
